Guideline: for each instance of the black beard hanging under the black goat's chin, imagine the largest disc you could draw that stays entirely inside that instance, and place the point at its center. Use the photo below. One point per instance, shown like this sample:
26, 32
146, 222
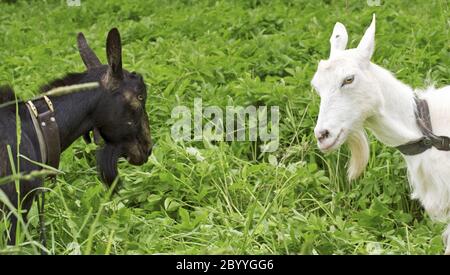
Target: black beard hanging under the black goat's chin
107, 158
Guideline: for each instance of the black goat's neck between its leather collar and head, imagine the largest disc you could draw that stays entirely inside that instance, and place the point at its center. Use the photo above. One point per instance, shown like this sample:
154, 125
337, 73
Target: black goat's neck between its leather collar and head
74, 114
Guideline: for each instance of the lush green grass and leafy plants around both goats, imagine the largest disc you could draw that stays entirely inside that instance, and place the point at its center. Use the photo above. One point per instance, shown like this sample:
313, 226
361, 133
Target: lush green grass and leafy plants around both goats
293, 201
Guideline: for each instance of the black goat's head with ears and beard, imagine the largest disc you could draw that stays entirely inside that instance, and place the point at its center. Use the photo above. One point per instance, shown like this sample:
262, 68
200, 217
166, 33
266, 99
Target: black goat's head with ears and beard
121, 118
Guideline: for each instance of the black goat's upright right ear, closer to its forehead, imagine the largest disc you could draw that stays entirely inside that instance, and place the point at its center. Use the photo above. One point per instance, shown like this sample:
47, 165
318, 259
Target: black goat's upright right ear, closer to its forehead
114, 55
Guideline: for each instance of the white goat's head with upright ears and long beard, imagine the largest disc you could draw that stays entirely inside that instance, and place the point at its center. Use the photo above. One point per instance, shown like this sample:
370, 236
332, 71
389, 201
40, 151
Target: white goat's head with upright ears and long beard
349, 95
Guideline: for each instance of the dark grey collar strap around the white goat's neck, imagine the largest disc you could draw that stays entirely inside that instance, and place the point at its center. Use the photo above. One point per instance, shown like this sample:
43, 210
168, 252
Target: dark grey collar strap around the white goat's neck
423, 120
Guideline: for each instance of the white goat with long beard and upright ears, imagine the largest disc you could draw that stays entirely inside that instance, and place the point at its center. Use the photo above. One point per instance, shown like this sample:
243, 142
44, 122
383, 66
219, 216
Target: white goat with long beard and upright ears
356, 93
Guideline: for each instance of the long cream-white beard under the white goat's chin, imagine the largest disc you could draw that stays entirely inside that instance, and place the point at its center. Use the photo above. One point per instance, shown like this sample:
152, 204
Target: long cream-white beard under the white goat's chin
359, 149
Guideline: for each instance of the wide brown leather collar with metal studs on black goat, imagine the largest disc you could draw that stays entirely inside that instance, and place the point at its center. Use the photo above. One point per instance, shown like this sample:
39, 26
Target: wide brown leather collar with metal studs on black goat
47, 132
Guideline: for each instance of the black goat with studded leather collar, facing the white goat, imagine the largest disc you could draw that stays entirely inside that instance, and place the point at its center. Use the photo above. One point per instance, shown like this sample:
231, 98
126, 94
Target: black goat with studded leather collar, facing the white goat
115, 110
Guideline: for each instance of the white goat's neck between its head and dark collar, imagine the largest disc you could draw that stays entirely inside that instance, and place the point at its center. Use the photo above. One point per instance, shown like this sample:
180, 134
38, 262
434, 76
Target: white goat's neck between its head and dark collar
394, 122
